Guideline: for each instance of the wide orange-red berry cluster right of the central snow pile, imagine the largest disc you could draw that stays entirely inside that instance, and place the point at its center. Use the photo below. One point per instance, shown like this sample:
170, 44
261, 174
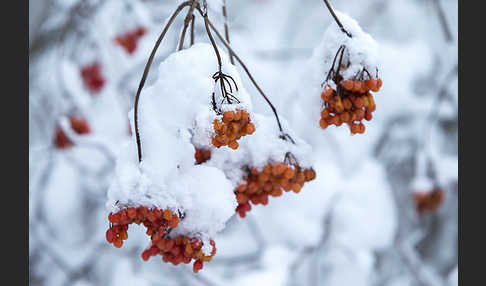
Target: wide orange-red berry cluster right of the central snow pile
270, 182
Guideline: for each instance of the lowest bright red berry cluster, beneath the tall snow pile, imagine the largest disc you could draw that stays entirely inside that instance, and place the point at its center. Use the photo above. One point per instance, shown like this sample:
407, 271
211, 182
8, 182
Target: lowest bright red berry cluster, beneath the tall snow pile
159, 223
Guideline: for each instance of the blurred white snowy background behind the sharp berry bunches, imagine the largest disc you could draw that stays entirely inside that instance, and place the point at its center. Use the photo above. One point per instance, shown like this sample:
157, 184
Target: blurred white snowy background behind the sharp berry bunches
358, 223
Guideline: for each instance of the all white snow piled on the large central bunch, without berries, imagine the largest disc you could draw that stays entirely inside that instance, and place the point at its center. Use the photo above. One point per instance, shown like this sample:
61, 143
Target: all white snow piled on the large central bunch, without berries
174, 116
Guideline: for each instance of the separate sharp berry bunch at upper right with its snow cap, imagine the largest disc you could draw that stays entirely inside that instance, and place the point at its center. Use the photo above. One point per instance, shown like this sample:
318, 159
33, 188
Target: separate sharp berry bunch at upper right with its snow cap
349, 66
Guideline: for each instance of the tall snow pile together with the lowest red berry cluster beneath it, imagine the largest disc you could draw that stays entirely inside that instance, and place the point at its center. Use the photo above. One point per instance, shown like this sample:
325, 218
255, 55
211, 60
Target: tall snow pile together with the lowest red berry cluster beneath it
175, 115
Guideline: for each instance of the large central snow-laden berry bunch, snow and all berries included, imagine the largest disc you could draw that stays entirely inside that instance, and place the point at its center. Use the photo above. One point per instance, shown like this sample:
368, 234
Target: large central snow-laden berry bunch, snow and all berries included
191, 164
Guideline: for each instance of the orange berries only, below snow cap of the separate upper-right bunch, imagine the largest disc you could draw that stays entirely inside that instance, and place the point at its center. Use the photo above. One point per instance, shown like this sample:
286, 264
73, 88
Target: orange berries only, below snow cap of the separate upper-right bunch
353, 103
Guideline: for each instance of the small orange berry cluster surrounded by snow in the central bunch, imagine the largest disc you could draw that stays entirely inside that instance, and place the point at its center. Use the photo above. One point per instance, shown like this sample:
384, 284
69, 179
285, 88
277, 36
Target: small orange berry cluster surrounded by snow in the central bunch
235, 124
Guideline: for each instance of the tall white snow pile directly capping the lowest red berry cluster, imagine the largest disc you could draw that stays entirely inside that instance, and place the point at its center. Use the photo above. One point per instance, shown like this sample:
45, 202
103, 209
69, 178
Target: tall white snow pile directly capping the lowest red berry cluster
167, 176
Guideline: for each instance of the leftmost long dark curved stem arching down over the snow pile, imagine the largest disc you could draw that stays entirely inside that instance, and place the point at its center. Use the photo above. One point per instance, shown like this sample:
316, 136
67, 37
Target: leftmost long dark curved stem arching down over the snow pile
146, 70
